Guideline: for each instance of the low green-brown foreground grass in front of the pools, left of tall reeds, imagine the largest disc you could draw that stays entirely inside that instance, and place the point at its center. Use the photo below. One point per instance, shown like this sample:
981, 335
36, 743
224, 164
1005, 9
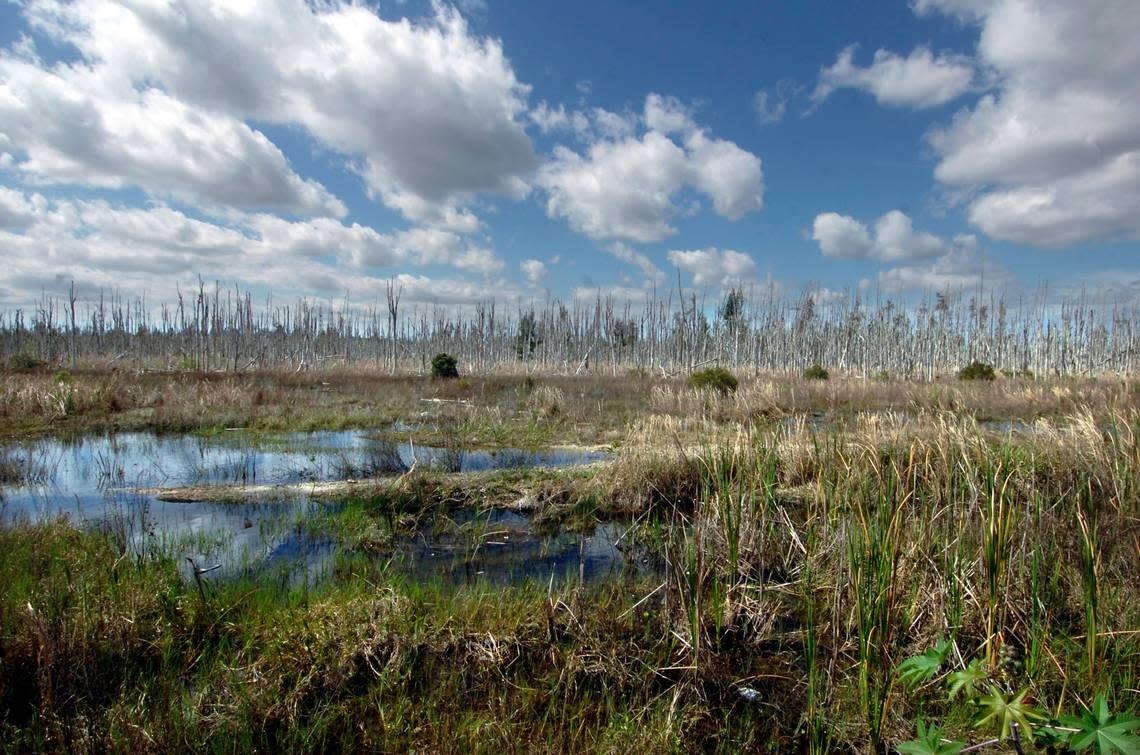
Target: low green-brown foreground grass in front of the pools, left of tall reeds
132, 659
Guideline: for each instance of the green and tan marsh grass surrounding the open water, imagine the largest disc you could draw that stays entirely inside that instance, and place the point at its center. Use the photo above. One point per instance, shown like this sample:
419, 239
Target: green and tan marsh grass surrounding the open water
803, 564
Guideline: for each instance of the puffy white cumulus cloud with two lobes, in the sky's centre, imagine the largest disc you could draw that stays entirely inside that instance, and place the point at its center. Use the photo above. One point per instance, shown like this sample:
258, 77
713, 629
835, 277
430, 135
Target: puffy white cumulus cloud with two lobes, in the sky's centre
625, 186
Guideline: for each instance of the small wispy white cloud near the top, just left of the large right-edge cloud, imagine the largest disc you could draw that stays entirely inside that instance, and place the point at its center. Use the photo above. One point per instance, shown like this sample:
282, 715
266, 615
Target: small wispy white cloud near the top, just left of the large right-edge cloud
919, 80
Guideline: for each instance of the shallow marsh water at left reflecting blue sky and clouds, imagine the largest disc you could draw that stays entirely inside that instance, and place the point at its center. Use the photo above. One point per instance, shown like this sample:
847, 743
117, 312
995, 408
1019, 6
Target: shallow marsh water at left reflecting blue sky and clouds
88, 480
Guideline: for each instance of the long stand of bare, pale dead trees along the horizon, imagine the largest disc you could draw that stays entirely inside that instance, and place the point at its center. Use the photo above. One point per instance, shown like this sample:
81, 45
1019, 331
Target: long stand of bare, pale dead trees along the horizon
222, 329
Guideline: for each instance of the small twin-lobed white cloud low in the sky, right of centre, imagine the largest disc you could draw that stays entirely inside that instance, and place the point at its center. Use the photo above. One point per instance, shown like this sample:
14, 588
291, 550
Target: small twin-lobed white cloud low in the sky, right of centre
894, 239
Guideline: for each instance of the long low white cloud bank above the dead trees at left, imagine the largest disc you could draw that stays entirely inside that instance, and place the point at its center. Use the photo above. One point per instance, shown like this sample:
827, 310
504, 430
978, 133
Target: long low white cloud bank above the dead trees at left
148, 250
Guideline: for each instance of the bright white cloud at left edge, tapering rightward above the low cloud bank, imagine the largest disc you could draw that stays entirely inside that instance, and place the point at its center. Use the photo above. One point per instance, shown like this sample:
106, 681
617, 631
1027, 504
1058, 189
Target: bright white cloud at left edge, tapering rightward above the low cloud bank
79, 126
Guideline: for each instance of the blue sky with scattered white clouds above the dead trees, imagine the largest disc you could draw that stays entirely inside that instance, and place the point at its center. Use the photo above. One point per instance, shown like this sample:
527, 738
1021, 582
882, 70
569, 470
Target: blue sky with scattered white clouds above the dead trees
526, 151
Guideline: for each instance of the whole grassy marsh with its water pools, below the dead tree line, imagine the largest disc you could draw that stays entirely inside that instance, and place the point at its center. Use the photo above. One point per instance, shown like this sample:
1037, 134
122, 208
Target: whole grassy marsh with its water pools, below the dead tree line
795, 566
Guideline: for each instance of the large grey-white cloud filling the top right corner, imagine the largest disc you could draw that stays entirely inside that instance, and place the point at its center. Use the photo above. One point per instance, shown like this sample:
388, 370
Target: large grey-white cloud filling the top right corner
1053, 157
